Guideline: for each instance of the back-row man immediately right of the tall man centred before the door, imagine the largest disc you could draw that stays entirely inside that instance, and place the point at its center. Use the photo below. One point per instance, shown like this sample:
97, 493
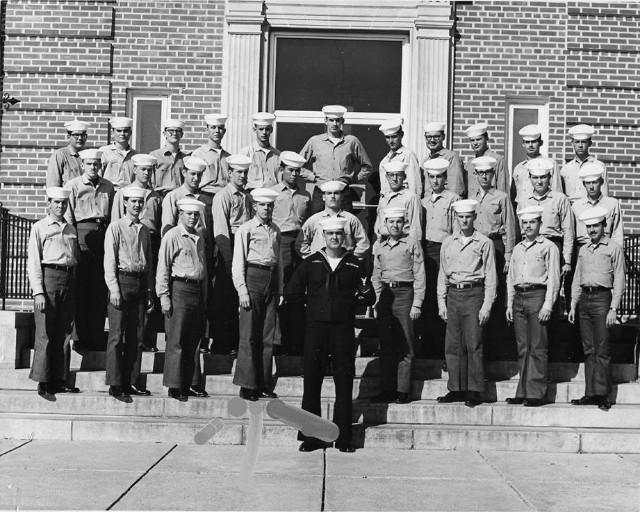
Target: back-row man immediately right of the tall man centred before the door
393, 134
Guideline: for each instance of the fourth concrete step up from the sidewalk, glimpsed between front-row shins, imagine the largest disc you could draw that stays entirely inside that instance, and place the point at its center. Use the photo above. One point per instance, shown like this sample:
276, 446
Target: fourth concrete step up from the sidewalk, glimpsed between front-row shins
423, 369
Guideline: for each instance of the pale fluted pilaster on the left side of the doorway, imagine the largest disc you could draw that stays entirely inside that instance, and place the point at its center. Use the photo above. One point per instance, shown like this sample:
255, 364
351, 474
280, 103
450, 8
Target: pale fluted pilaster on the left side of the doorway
242, 80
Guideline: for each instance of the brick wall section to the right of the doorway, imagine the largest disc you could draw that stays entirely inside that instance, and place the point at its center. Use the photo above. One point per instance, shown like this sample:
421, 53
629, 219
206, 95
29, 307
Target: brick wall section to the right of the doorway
584, 56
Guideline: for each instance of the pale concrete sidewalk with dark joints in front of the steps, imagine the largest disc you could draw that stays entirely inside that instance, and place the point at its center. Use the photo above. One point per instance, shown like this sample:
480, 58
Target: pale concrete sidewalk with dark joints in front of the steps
145, 476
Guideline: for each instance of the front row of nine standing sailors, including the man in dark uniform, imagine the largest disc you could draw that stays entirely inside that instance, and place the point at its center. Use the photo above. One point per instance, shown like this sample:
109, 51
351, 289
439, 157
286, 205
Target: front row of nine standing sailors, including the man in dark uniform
333, 282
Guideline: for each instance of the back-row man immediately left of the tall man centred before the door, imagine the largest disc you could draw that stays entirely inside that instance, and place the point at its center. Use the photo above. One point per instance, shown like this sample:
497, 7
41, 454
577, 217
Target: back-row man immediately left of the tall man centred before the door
265, 159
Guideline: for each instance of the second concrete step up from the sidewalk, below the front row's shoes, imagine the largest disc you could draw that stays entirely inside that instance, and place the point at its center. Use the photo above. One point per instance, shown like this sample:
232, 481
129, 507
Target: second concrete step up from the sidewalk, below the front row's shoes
423, 412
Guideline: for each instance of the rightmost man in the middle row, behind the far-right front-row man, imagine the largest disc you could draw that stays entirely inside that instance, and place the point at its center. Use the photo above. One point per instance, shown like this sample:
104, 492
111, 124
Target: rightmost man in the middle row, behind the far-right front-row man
592, 176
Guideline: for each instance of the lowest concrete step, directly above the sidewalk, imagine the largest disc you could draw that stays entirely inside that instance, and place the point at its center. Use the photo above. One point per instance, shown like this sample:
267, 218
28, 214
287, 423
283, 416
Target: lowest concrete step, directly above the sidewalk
407, 436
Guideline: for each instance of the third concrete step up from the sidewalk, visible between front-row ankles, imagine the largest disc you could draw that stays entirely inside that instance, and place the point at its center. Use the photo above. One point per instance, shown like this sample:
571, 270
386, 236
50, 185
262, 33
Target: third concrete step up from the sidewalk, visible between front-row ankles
363, 387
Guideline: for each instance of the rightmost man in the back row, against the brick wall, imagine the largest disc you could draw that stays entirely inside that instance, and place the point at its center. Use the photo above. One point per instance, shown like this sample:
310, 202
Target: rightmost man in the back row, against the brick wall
581, 140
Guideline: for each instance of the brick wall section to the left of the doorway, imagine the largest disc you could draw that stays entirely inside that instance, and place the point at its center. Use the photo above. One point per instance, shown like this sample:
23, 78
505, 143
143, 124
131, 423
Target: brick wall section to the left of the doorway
66, 59
